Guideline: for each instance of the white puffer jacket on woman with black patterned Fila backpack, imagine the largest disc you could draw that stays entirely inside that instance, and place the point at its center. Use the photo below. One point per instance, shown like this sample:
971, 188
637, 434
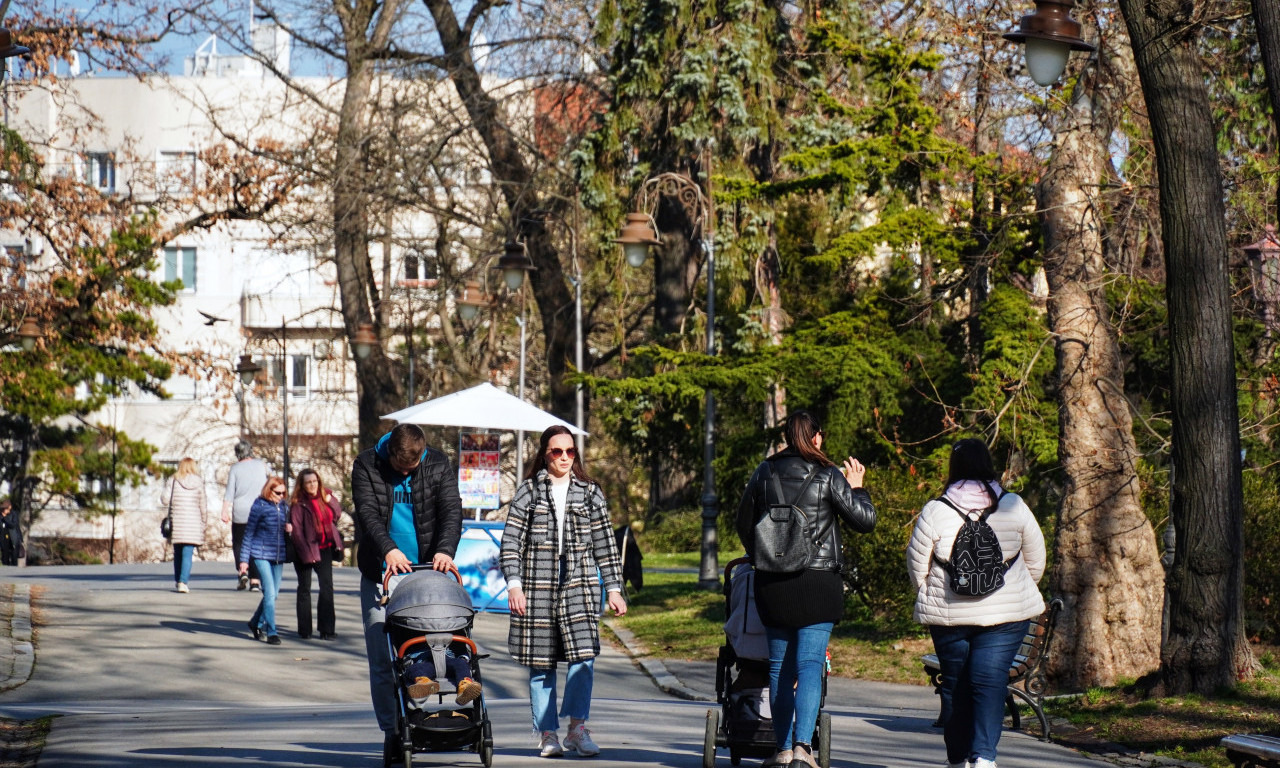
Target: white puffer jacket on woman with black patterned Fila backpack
936, 531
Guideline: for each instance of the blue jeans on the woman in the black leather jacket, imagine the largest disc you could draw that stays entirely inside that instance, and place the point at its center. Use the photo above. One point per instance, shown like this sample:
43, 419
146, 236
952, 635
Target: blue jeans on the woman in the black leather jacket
798, 659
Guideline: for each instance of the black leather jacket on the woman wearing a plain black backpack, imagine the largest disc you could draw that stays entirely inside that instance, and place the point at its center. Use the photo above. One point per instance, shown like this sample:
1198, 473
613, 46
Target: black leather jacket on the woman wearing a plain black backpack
828, 497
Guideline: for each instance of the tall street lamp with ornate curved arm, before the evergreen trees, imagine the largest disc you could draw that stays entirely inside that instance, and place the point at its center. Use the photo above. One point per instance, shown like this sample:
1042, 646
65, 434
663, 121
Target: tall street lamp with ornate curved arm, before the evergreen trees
638, 235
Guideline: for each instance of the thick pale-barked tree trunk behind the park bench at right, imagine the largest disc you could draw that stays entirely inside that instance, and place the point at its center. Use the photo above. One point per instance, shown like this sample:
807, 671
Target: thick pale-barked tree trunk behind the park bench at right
1107, 565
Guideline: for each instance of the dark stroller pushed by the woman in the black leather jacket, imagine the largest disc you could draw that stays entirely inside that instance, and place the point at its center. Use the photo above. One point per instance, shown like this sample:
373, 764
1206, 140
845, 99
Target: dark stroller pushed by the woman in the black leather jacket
743, 724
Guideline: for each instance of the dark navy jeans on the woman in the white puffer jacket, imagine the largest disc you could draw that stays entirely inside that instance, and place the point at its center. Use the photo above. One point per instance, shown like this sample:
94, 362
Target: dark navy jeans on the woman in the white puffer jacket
975, 664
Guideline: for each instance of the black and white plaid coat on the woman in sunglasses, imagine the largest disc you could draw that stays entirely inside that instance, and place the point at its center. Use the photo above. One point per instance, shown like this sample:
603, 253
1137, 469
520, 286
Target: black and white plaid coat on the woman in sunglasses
561, 624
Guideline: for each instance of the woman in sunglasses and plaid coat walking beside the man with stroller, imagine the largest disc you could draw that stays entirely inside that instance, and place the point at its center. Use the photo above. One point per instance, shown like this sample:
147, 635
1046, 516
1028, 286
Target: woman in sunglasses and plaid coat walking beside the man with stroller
557, 546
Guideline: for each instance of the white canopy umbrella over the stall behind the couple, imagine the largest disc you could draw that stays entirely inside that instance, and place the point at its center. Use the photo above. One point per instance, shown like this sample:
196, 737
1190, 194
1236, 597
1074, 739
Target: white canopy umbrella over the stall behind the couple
484, 406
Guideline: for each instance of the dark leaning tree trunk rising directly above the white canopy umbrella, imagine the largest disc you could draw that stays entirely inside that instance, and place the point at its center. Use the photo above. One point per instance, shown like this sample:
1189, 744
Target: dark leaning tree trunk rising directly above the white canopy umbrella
515, 180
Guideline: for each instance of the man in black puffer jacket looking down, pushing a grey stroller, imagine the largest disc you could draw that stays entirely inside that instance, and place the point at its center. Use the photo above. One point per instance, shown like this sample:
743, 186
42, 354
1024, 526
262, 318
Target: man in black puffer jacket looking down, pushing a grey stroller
409, 513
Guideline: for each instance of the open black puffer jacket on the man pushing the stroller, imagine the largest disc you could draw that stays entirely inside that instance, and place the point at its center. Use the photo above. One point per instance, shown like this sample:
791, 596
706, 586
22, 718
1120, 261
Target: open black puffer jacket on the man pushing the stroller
437, 509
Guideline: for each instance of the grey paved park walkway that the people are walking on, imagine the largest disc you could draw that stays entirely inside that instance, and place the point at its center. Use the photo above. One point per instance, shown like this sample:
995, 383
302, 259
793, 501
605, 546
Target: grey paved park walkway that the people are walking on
880, 725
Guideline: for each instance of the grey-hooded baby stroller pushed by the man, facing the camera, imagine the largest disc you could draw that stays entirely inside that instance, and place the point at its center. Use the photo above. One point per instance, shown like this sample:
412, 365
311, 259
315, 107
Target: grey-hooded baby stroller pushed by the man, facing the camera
428, 615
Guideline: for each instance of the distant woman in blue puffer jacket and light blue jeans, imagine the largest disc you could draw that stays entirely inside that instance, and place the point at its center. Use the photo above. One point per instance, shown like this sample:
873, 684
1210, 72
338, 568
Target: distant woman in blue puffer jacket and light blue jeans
264, 547
